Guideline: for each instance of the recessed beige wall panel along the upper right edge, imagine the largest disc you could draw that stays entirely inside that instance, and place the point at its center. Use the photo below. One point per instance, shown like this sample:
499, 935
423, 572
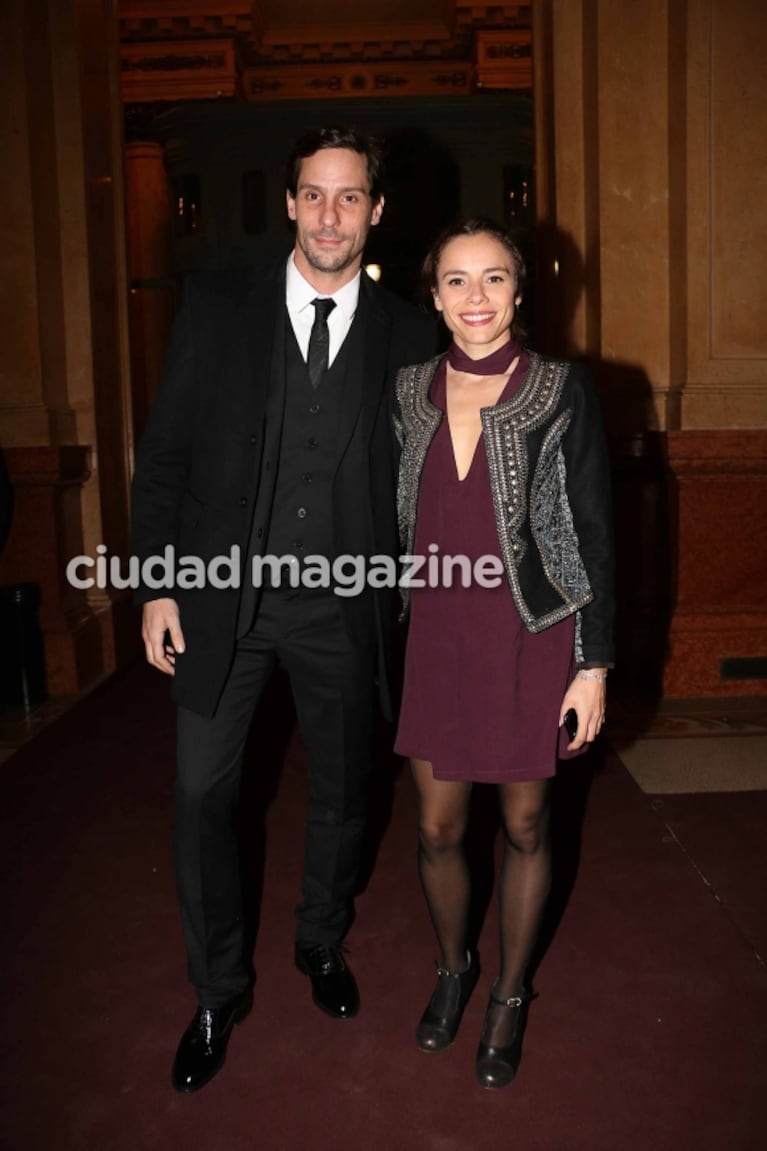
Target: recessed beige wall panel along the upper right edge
727, 222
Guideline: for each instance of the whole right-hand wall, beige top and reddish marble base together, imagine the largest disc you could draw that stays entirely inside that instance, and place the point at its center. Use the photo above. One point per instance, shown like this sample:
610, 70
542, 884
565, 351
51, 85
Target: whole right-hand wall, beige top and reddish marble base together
651, 127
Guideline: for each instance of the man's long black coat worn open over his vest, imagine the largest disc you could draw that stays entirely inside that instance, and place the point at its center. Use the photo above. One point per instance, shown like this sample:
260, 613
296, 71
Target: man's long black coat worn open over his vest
199, 467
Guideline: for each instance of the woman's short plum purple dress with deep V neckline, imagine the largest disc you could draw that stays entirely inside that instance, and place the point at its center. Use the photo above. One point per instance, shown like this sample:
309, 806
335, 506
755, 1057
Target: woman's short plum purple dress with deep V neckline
482, 696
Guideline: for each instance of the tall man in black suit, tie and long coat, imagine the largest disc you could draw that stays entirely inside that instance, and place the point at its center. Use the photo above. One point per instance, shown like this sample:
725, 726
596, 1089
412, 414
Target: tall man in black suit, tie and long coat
272, 435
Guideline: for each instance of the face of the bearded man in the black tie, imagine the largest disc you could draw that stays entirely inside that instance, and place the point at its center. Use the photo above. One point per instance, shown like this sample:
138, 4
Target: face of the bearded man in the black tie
333, 214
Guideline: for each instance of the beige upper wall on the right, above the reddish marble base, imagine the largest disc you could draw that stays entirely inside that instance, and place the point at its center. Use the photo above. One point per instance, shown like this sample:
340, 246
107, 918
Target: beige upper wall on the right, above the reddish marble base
654, 133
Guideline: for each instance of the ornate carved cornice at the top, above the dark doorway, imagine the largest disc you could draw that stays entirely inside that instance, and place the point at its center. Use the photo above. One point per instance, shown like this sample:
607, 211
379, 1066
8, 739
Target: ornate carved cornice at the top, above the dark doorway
314, 49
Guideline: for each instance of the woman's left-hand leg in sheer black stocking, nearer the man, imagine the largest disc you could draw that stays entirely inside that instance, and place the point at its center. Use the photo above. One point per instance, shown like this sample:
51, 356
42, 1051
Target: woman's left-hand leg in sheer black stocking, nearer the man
444, 812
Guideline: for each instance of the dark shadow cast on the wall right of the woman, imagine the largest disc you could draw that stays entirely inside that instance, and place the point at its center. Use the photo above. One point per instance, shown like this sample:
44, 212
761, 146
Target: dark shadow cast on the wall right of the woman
642, 490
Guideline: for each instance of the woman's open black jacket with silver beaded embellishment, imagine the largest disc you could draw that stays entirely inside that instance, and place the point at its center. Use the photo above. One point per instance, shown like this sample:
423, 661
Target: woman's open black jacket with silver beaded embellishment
550, 481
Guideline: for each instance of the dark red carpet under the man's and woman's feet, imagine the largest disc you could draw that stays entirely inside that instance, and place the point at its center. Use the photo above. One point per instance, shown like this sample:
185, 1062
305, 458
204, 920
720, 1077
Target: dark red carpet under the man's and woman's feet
650, 1031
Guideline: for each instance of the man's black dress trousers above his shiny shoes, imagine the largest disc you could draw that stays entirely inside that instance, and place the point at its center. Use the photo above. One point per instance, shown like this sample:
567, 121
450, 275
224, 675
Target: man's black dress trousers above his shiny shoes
333, 687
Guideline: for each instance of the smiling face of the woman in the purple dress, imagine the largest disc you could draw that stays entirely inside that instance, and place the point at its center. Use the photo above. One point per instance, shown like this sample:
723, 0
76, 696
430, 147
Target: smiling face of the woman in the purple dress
477, 293
